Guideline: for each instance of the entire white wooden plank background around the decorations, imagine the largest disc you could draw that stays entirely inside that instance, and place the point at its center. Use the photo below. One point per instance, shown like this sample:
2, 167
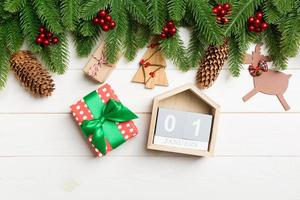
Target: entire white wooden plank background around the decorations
43, 155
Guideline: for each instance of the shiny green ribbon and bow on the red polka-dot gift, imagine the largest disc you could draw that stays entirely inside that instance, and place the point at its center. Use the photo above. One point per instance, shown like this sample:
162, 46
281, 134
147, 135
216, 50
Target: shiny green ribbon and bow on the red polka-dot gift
103, 125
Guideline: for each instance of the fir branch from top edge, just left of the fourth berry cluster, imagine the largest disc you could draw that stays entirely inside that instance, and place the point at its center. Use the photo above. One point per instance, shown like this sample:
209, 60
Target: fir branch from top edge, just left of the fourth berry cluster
205, 22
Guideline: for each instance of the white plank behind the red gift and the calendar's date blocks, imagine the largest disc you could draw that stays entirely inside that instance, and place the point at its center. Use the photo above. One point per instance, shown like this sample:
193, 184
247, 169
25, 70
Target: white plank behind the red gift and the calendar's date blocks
59, 135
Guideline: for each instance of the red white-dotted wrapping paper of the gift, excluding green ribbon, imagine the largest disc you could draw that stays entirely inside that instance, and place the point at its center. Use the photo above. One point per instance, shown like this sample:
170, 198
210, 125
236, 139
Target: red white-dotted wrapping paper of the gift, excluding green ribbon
81, 112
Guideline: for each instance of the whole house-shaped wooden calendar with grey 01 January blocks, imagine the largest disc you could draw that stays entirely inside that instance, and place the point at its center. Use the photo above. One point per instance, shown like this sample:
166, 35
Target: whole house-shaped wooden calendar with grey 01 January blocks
184, 121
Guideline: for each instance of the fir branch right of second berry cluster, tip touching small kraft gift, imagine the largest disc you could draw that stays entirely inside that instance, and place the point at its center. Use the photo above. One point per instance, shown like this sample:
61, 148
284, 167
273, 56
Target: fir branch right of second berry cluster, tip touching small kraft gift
114, 38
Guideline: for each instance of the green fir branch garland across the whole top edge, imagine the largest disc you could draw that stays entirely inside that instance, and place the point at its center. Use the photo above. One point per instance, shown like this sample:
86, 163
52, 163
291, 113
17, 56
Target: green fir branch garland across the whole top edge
135, 22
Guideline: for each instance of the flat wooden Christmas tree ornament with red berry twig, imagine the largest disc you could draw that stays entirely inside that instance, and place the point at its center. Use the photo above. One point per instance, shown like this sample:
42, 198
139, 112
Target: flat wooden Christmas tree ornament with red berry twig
152, 68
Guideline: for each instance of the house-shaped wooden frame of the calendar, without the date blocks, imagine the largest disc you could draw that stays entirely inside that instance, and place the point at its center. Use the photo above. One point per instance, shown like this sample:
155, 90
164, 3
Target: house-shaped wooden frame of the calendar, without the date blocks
190, 99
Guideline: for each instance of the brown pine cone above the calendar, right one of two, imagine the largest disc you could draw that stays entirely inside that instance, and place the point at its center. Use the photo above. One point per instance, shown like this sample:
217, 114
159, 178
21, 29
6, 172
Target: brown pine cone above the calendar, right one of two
211, 65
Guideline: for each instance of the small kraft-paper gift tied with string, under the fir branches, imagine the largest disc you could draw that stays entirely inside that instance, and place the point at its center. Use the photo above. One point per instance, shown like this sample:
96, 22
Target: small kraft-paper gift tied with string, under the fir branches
98, 67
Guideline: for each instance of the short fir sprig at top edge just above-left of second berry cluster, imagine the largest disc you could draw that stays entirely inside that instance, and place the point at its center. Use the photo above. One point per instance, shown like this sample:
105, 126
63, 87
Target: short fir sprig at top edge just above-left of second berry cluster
91, 7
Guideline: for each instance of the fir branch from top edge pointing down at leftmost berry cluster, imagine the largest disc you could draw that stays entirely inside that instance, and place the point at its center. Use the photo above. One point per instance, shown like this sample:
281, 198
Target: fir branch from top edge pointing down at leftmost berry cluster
49, 15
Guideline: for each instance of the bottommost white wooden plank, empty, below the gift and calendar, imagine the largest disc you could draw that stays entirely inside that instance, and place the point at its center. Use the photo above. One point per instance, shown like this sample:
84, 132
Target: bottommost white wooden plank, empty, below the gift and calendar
150, 178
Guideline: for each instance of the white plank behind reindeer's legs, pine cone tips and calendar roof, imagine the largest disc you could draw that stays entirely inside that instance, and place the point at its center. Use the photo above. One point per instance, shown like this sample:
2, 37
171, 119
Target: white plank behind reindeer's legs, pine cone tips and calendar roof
227, 92
